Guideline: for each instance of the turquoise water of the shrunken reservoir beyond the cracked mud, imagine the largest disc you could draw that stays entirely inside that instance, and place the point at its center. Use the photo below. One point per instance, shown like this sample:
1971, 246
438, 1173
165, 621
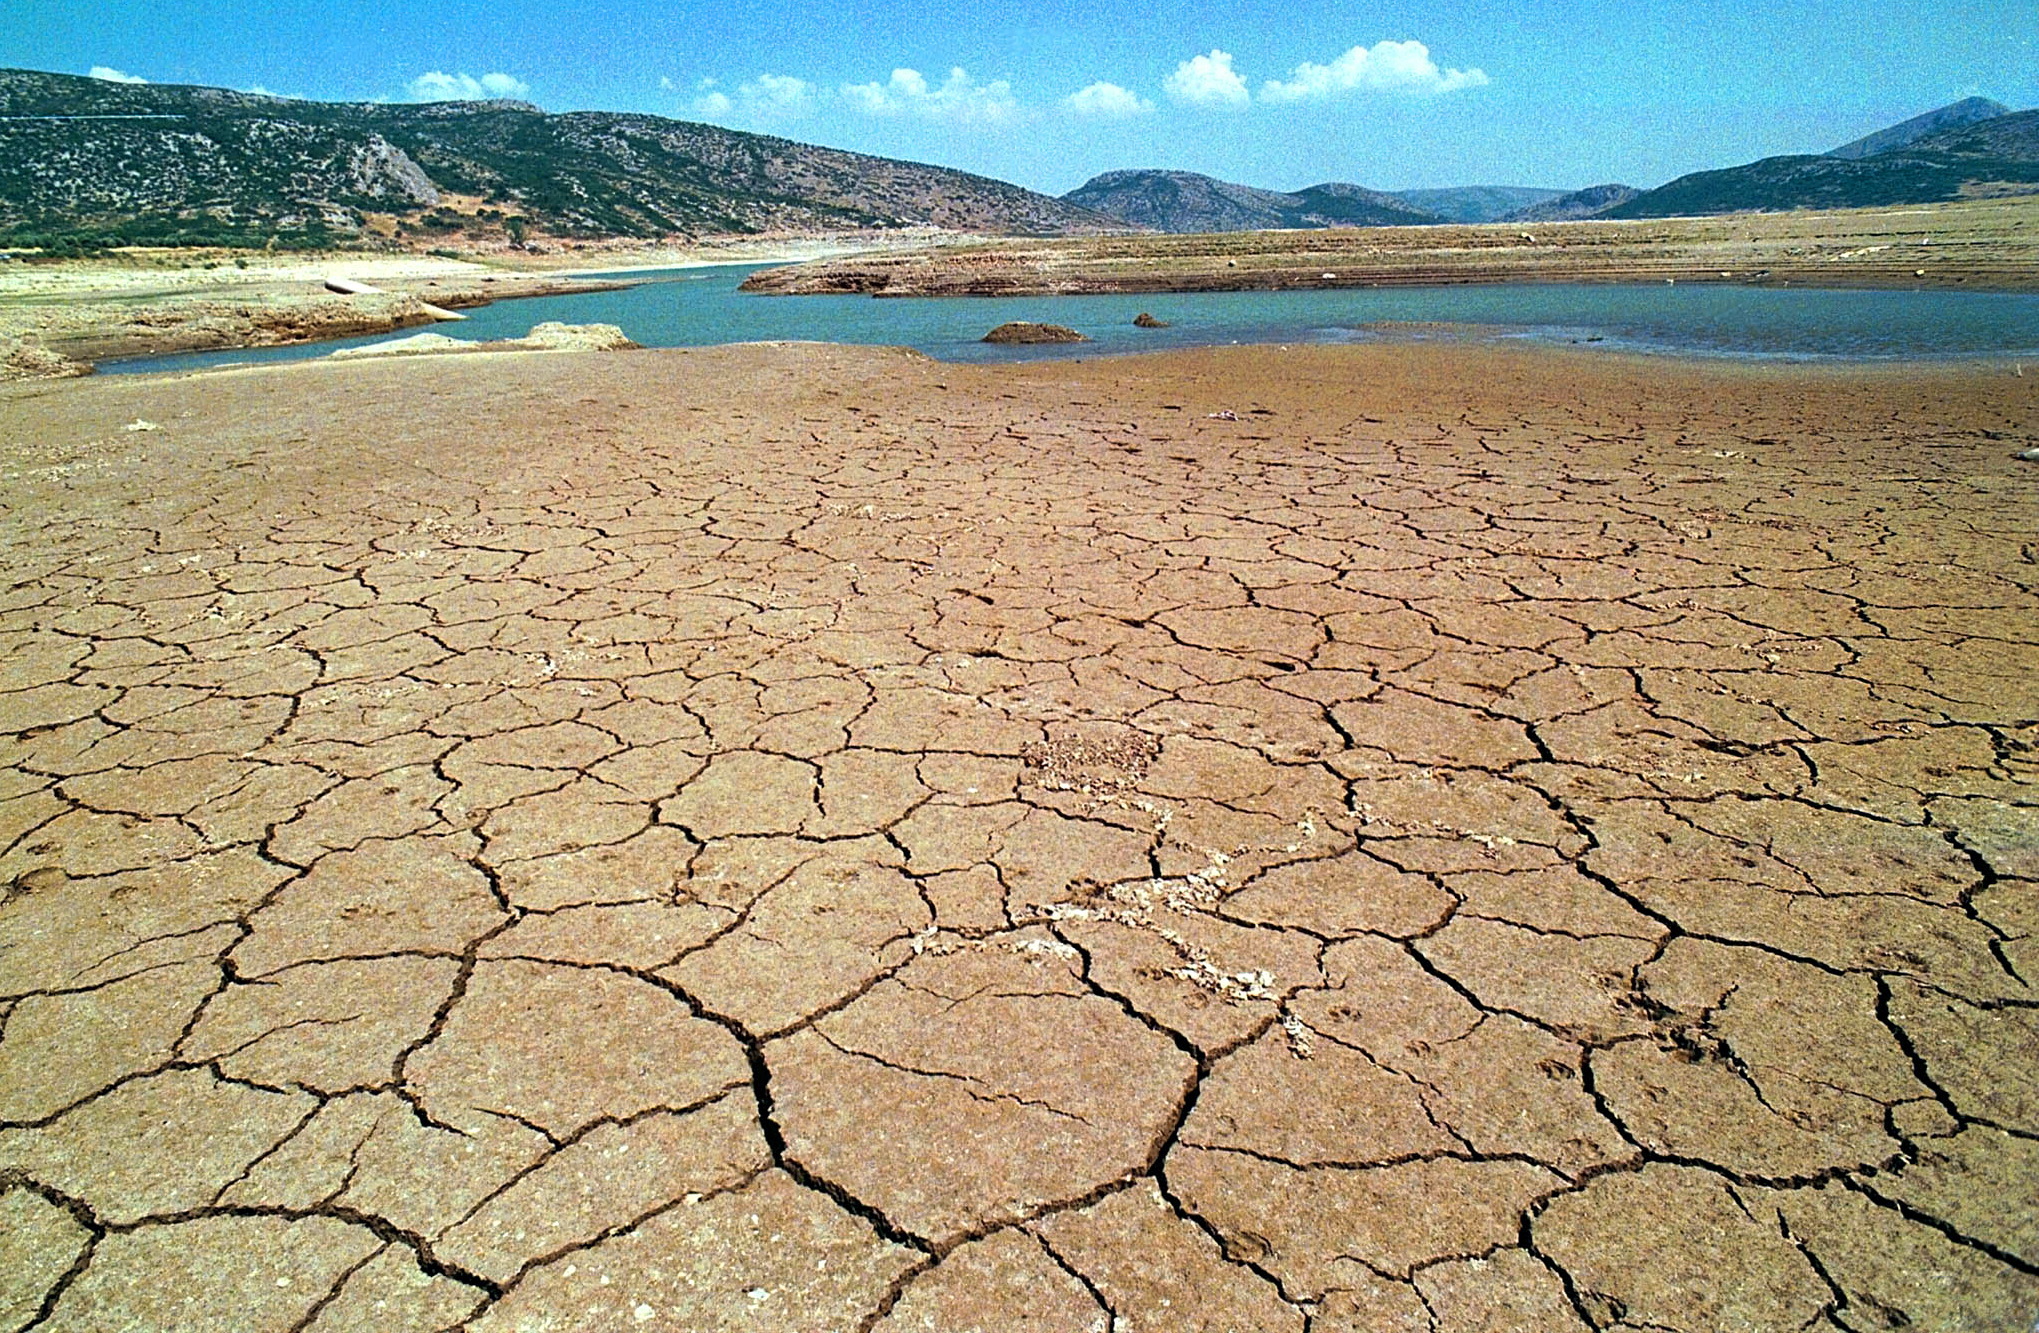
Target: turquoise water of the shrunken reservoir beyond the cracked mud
702, 307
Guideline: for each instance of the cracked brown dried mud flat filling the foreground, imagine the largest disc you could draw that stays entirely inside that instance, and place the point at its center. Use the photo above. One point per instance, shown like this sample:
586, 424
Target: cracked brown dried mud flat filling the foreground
813, 839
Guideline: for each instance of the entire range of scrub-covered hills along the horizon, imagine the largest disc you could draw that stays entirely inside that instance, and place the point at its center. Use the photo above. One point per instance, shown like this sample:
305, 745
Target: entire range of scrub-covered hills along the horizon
89, 162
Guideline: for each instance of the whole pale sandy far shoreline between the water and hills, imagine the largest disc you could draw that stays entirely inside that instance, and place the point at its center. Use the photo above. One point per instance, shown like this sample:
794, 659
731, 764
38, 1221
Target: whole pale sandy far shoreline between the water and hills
60, 319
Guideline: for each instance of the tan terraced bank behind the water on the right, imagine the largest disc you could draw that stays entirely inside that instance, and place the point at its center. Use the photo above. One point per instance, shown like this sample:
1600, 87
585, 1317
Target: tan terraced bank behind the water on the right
1983, 244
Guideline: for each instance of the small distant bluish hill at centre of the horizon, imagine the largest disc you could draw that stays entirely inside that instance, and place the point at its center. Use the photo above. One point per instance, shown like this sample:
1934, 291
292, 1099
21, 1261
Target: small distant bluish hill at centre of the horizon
1190, 203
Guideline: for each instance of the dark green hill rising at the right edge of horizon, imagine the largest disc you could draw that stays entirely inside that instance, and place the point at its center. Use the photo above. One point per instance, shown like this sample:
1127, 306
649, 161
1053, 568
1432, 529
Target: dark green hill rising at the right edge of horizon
1999, 156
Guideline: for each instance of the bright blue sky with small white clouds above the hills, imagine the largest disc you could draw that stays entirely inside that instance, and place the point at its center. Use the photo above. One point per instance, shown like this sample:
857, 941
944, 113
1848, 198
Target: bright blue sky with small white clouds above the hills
1536, 93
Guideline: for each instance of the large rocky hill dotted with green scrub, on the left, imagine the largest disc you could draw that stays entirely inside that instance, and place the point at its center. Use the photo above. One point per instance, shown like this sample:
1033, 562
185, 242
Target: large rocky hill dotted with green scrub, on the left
158, 162
